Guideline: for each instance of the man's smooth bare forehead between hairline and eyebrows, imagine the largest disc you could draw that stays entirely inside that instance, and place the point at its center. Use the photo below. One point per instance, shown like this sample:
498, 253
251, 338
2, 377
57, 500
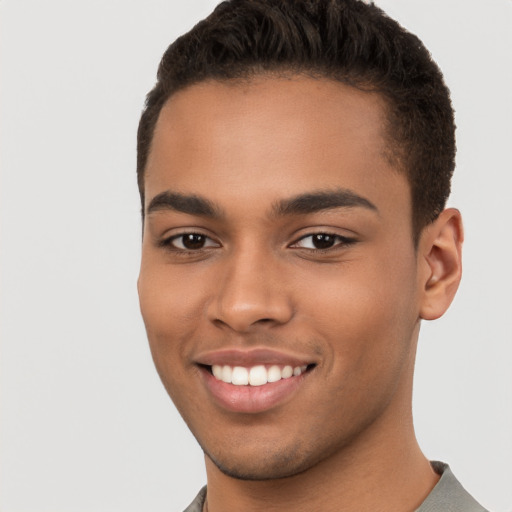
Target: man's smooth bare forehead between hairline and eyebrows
270, 136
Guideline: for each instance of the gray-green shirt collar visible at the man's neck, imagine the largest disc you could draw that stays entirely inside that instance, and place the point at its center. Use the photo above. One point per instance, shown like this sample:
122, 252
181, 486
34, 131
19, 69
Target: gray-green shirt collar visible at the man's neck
447, 496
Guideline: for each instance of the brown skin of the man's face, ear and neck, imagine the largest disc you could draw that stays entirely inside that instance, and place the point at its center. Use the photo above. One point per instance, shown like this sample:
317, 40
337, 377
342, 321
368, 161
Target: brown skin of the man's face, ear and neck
353, 309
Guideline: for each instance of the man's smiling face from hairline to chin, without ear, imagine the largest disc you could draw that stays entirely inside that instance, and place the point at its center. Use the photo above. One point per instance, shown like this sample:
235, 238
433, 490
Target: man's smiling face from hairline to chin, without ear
278, 282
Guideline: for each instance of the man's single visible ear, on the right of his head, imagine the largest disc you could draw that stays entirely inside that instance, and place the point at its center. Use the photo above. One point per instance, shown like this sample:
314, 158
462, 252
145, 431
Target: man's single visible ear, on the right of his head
440, 263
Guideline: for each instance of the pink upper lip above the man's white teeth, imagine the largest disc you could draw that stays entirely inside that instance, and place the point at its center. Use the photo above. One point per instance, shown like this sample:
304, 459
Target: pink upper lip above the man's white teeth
252, 357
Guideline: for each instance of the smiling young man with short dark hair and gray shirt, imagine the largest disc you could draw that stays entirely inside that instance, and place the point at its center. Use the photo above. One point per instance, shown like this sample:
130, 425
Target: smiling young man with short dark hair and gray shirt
294, 160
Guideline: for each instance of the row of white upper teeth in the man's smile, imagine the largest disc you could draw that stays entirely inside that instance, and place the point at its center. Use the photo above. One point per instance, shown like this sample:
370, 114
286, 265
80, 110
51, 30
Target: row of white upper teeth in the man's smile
256, 375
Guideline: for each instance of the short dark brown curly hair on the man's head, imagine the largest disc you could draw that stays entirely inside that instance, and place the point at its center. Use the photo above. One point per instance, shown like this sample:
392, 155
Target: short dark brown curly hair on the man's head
345, 40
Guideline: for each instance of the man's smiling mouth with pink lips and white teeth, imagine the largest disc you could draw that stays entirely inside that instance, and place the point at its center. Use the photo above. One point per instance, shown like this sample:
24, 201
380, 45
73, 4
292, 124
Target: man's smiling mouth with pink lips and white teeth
253, 382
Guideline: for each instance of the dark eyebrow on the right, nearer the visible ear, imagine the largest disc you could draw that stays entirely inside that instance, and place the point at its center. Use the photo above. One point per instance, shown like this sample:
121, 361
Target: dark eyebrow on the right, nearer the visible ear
322, 200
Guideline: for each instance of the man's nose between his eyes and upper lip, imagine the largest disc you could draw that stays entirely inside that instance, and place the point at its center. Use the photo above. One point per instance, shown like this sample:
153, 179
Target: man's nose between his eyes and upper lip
251, 292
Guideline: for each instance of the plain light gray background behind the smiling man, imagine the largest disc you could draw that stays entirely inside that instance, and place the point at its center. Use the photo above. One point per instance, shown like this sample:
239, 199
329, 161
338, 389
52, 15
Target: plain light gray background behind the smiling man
86, 425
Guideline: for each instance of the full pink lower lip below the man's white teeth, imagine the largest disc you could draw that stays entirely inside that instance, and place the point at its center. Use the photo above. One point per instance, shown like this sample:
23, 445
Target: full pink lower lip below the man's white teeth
251, 399
